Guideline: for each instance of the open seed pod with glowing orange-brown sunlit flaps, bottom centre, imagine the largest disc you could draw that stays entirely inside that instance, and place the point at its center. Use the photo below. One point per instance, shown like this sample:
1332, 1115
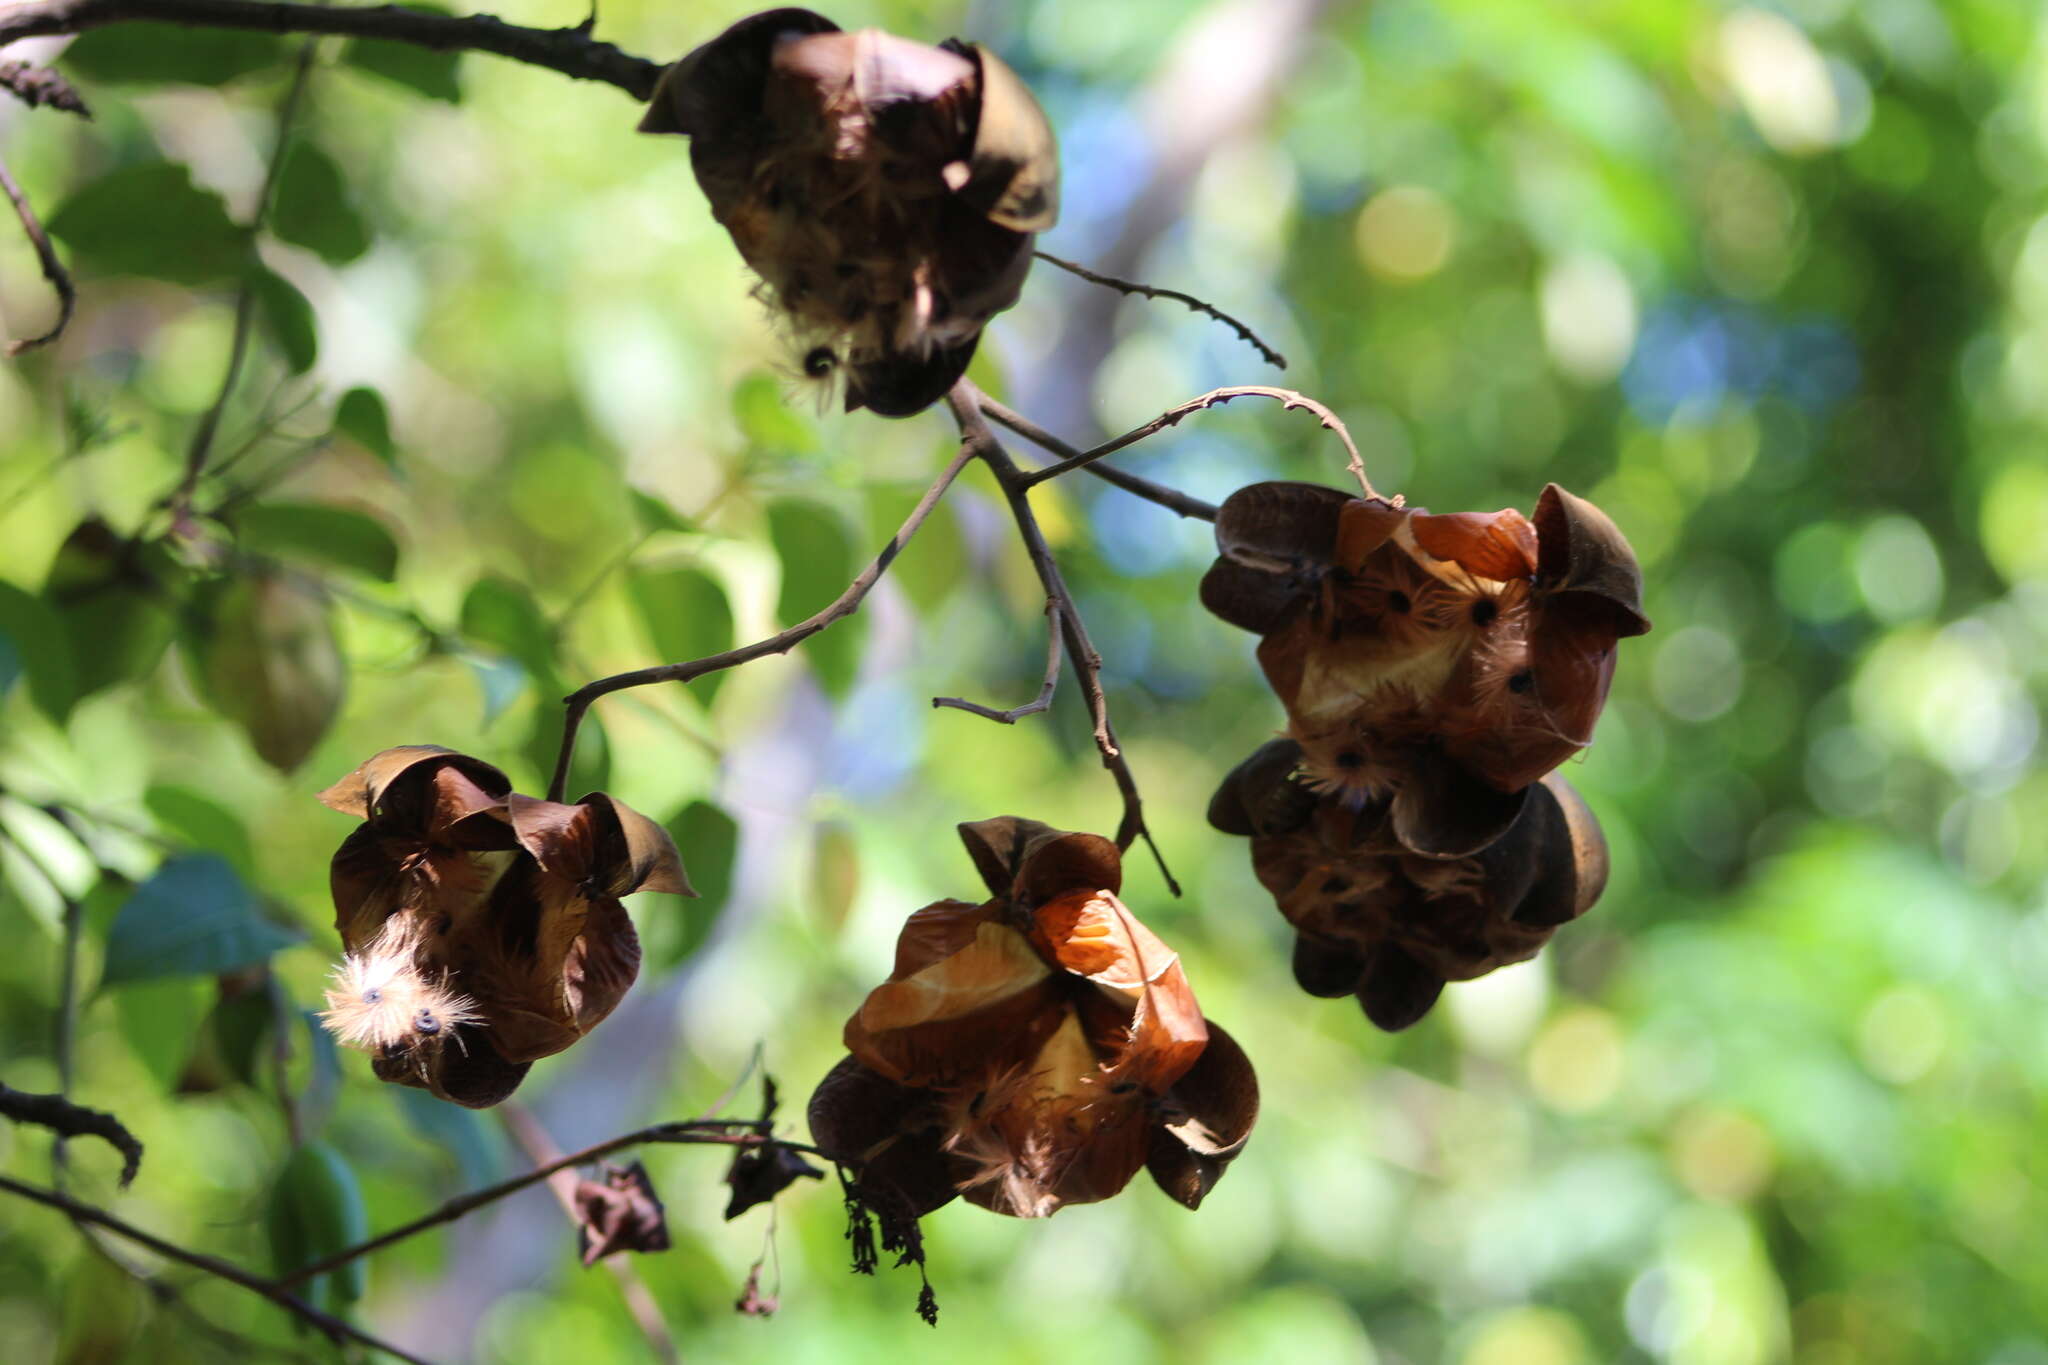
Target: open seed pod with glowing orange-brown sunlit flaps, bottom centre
1033, 1051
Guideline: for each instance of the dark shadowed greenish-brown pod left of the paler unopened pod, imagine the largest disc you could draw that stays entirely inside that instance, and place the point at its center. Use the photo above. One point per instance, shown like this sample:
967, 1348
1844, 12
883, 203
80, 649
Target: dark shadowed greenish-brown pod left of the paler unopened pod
114, 603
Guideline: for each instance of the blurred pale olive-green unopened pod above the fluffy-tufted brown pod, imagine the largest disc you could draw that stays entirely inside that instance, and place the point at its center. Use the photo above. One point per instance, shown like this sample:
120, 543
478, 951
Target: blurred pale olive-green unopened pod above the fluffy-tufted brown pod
269, 662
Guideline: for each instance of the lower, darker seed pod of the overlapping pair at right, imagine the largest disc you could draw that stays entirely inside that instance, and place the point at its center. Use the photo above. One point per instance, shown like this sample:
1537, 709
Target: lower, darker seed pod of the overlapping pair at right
1392, 924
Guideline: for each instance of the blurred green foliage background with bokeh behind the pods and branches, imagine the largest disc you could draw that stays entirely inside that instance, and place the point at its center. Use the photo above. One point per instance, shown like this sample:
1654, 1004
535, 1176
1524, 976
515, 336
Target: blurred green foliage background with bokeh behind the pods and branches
1770, 283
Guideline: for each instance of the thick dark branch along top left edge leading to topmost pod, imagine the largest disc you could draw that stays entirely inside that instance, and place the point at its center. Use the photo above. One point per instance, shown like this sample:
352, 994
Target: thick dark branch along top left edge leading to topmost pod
570, 52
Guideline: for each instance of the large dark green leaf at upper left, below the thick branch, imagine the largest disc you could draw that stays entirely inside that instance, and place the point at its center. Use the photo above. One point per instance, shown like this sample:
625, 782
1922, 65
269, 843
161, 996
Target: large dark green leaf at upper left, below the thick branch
183, 236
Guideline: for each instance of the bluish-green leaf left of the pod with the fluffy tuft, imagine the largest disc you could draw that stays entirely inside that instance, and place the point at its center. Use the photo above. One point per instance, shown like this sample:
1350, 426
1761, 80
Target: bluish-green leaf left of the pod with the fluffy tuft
194, 918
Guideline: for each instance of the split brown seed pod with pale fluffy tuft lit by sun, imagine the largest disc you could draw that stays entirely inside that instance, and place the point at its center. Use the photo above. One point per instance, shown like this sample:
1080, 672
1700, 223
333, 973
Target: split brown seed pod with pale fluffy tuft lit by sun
482, 930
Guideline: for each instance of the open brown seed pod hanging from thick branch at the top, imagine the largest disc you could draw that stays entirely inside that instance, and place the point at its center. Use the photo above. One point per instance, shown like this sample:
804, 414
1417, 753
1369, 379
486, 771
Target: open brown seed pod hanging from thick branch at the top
886, 191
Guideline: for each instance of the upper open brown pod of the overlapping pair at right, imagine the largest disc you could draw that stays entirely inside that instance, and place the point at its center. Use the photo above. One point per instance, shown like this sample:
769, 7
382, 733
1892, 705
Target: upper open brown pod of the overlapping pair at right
1394, 635
